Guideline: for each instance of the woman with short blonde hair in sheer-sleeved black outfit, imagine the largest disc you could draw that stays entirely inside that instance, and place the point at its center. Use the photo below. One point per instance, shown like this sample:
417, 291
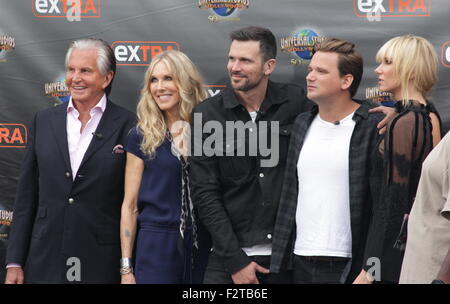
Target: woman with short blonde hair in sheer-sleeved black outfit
408, 70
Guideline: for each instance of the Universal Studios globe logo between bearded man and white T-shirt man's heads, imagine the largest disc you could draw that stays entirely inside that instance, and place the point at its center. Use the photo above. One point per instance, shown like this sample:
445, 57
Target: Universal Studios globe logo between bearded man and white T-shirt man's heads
300, 45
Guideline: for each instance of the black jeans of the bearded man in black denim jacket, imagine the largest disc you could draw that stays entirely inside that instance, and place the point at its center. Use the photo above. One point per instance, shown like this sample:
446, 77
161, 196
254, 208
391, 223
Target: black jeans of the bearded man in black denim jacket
217, 274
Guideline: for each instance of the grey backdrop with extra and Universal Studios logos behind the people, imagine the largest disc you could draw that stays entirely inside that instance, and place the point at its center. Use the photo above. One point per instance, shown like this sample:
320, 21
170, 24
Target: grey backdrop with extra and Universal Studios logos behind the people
35, 34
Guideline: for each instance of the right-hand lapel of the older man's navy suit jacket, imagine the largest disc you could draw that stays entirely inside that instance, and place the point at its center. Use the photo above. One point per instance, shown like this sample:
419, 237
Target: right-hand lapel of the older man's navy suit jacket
106, 128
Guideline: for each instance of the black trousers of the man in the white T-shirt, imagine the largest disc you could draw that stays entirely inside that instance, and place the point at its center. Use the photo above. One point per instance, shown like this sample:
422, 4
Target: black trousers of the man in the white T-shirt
318, 270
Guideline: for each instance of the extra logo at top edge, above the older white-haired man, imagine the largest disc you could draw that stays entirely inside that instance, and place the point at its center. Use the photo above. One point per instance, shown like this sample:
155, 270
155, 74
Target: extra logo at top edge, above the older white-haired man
66, 8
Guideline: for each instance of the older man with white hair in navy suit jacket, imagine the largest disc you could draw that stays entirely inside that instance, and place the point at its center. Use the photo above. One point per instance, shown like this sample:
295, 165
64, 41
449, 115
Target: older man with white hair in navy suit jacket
67, 208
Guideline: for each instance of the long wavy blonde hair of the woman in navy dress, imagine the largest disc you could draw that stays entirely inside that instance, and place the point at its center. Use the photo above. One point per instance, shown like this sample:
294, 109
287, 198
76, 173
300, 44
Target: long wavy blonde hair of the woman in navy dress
189, 83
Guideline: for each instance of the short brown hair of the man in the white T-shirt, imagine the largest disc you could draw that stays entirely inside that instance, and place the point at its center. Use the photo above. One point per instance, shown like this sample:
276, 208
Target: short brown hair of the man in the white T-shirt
349, 60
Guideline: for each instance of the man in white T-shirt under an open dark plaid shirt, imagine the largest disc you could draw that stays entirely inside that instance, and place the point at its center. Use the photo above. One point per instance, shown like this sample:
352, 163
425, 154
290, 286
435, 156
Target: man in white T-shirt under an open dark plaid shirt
325, 204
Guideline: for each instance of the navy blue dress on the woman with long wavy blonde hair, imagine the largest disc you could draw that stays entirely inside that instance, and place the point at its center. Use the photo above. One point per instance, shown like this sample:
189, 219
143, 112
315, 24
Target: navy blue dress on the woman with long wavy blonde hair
159, 258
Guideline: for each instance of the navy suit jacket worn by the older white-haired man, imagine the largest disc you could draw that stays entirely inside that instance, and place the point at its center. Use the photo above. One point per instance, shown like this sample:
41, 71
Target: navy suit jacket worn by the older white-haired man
56, 217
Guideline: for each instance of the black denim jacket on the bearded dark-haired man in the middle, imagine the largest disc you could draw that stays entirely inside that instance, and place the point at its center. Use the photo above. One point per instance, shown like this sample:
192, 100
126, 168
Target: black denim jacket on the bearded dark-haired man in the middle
236, 197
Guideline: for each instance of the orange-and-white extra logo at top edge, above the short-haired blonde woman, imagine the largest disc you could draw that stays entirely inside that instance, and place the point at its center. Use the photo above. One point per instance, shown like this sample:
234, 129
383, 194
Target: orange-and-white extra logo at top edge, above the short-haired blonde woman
391, 8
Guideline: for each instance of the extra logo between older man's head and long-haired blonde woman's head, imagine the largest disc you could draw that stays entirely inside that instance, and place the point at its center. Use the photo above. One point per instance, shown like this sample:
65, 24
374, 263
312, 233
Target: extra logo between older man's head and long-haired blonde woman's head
140, 53
